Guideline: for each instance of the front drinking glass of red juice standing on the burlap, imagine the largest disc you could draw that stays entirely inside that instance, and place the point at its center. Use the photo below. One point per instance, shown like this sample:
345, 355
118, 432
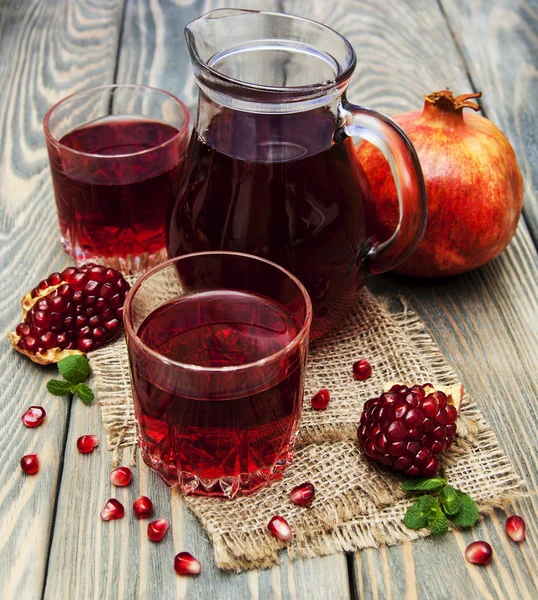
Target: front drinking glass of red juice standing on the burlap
217, 346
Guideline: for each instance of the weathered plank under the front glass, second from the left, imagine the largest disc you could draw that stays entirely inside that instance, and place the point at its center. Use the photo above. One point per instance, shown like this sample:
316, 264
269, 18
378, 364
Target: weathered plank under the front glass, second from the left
116, 560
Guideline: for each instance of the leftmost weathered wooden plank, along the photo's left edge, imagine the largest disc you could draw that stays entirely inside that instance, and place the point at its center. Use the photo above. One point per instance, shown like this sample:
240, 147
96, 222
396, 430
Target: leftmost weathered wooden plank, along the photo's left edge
47, 50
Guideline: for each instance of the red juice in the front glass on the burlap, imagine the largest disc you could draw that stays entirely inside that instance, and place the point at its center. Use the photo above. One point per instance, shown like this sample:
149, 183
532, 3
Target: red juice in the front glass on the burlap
214, 444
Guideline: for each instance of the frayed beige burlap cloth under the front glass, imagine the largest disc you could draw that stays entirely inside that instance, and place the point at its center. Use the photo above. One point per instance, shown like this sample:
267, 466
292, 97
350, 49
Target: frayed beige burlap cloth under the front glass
357, 504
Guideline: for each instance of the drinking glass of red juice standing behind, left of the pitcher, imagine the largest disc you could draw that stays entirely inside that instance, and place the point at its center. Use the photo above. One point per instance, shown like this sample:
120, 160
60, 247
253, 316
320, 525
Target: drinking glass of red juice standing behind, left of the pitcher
114, 152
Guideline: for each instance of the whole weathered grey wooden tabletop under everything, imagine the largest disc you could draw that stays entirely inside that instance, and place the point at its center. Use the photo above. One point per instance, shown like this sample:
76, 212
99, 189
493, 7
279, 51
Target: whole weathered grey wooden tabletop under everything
53, 544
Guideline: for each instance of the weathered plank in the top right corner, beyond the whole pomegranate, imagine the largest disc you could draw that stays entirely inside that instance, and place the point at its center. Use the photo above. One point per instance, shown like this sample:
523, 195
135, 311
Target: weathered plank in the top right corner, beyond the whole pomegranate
499, 41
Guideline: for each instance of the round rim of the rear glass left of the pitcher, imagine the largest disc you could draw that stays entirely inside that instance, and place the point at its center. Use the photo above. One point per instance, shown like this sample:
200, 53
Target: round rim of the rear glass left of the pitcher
181, 132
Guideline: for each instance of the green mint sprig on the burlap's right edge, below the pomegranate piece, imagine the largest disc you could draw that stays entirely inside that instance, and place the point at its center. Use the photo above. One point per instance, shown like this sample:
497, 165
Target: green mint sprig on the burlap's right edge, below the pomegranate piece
441, 504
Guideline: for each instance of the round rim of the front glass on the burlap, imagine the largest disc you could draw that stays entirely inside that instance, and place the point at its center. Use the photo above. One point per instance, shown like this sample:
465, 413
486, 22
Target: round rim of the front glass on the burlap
296, 341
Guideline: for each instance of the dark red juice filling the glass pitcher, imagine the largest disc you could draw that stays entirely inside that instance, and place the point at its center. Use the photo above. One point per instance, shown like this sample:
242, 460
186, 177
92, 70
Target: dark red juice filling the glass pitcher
279, 187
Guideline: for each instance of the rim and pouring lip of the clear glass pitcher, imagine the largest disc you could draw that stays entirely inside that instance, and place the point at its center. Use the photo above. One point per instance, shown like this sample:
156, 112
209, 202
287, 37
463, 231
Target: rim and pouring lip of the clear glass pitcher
313, 89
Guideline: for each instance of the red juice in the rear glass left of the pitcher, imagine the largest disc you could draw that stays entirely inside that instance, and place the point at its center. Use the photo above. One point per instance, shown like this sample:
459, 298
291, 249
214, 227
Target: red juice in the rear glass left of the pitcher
111, 202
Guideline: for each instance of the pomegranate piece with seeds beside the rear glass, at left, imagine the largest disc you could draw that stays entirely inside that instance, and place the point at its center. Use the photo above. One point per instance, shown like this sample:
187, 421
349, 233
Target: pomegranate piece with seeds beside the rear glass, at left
73, 312
